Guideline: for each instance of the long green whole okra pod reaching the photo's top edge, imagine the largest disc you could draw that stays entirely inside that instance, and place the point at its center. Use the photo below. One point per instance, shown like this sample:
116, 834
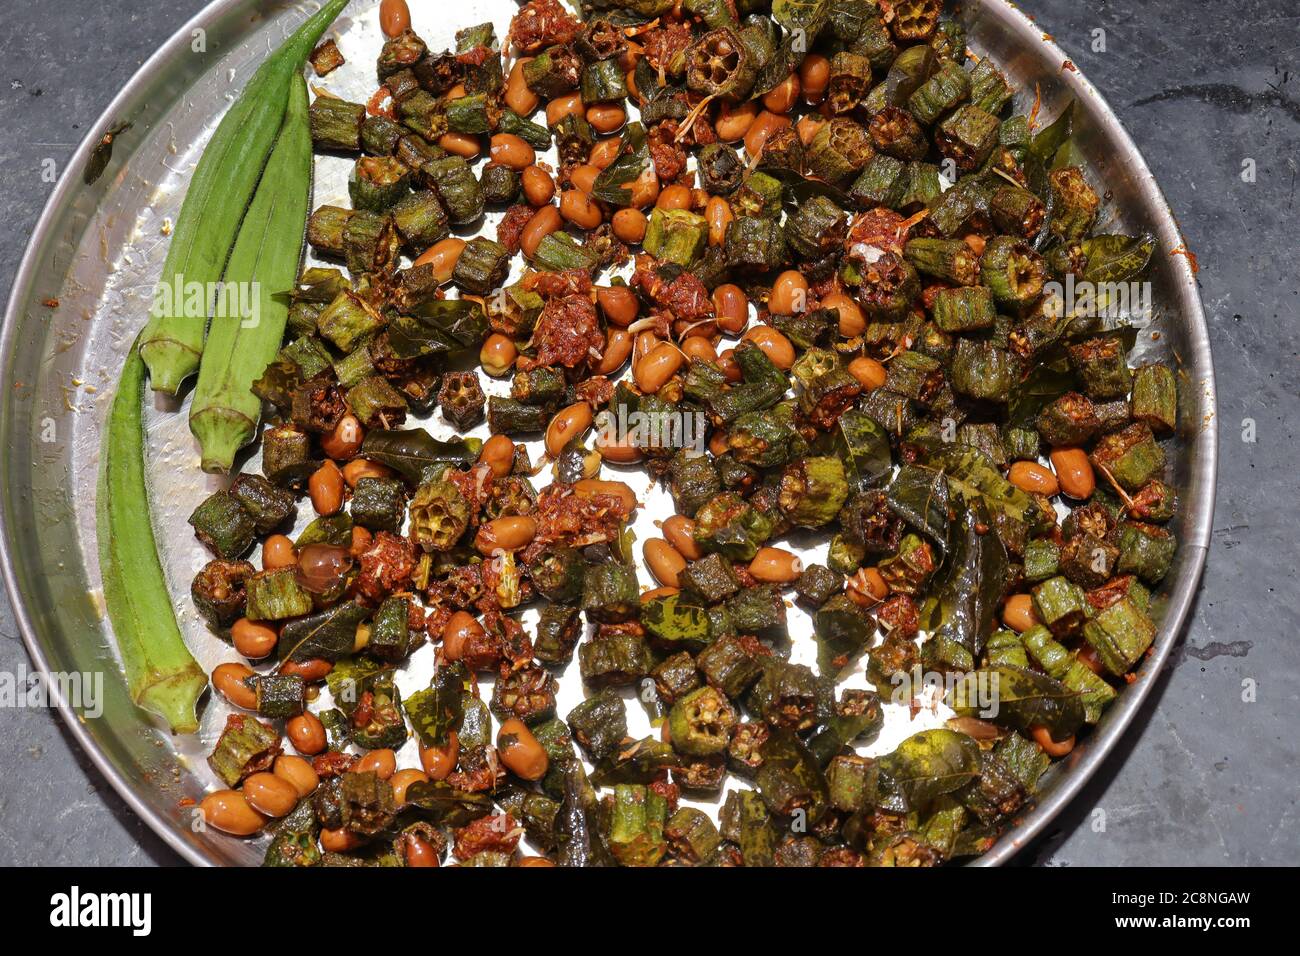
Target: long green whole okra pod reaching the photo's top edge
215, 202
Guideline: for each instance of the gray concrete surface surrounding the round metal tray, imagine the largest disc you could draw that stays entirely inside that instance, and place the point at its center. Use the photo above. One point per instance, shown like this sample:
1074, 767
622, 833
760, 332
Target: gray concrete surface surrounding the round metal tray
1203, 777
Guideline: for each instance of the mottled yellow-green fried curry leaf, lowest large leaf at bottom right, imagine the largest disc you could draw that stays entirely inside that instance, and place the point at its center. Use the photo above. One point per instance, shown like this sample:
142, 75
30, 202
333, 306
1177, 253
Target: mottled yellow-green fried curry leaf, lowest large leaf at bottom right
924, 768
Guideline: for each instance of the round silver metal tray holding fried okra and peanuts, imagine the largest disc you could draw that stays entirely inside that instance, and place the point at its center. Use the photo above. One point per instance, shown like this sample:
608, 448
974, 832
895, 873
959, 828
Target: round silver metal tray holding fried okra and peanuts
84, 291
